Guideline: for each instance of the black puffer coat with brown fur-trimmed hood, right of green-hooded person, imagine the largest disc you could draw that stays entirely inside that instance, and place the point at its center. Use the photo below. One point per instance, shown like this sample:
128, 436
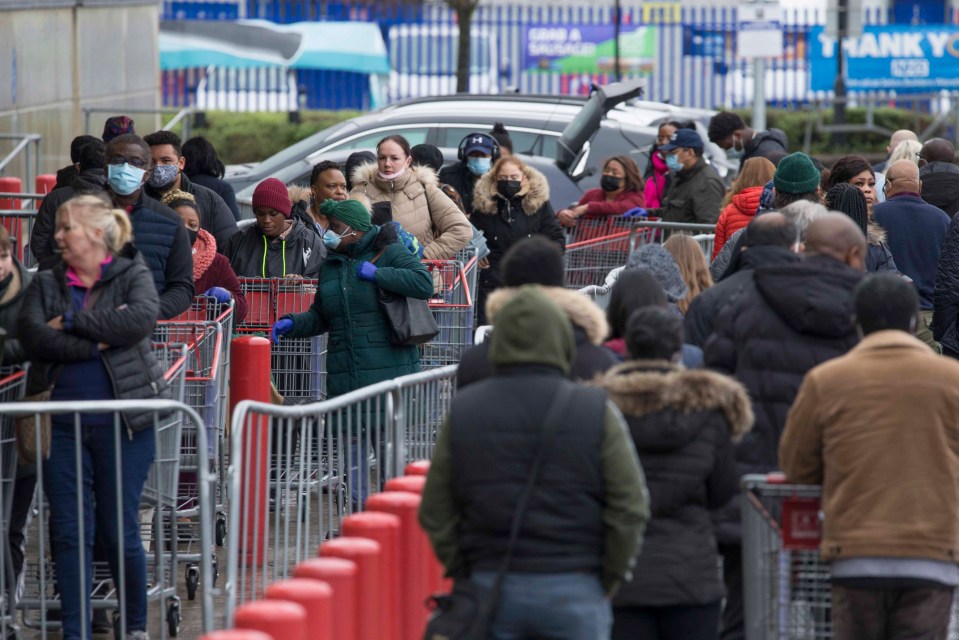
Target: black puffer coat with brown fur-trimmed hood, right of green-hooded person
683, 424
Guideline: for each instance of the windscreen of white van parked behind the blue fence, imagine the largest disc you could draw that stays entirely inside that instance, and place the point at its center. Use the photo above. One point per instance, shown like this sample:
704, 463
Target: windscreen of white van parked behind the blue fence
429, 54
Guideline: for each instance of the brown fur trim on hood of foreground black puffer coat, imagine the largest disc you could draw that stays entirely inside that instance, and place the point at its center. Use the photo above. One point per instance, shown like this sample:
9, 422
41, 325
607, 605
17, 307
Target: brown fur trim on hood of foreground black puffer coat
643, 387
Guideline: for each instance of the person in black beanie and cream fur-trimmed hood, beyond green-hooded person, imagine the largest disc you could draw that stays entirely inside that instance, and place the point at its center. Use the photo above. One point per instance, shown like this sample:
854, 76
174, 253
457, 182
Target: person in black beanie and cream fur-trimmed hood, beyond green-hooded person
539, 261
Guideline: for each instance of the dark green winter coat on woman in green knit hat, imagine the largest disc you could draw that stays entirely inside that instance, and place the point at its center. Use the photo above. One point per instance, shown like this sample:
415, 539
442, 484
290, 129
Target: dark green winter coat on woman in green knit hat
359, 350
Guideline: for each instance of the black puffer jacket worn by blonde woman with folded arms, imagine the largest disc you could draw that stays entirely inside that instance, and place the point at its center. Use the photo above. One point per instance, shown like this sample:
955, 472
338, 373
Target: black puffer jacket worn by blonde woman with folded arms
122, 315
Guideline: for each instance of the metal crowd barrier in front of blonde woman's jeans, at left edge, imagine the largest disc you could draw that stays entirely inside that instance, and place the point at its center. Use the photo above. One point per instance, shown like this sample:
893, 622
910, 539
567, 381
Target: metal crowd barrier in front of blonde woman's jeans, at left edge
38, 596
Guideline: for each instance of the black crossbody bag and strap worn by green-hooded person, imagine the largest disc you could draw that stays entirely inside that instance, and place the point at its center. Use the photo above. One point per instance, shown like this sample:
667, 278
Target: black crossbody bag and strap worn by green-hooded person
465, 613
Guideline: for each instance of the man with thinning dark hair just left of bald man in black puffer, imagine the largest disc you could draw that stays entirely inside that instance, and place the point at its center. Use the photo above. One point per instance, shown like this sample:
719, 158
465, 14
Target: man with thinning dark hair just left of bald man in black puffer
770, 239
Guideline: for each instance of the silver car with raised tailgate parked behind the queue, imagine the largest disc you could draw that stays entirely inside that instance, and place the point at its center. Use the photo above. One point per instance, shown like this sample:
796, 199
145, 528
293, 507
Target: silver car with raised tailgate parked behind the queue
577, 136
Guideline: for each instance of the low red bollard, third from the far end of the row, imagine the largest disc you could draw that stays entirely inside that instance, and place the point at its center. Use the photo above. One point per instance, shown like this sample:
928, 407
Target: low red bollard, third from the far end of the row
422, 572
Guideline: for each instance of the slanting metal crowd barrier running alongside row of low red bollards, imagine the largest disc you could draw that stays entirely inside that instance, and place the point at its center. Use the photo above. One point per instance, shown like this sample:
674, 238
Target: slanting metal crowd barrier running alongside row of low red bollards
296, 471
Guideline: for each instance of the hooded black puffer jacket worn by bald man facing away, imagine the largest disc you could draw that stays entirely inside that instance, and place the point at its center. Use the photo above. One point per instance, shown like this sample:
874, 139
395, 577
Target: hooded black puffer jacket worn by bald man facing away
790, 319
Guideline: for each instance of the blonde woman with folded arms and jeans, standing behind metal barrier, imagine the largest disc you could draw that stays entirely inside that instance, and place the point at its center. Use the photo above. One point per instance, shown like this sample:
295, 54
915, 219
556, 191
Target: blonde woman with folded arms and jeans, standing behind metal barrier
86, 325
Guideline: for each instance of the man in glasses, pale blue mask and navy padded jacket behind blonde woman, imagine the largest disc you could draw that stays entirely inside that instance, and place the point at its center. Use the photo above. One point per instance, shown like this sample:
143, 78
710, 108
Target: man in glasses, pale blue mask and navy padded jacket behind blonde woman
159, 233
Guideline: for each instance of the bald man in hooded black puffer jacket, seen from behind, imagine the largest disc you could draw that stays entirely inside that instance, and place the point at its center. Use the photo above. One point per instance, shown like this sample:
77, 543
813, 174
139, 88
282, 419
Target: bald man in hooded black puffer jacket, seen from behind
788, 319
